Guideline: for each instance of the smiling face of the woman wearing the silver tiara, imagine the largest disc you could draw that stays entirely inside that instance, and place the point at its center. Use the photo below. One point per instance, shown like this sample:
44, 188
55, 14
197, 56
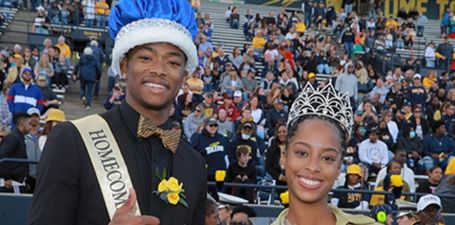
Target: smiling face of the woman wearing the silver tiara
313, 161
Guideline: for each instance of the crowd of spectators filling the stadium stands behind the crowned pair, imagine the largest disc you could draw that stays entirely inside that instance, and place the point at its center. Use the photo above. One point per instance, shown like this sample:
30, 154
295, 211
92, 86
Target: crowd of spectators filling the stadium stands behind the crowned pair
233, 108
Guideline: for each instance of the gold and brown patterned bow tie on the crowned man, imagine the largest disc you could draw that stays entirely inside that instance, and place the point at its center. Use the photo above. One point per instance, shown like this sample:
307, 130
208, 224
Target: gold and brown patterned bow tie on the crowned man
170, 138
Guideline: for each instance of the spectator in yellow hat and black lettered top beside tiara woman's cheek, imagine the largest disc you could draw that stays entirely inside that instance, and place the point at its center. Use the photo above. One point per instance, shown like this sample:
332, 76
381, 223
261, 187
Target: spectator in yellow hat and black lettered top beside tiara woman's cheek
352, 200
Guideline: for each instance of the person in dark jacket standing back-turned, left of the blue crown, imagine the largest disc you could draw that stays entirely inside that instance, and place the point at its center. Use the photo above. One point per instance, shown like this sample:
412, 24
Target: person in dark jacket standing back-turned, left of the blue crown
87, 70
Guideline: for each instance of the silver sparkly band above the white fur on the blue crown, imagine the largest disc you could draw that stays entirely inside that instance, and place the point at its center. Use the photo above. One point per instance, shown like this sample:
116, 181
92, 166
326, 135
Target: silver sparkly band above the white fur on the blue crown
152, 22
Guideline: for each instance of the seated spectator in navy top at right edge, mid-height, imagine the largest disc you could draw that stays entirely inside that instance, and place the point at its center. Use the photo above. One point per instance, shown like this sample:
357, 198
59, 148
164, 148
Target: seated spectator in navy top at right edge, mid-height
438, 147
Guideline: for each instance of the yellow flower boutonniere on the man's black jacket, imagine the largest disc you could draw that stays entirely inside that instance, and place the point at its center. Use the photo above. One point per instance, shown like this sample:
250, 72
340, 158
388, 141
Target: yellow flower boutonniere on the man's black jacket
171, 191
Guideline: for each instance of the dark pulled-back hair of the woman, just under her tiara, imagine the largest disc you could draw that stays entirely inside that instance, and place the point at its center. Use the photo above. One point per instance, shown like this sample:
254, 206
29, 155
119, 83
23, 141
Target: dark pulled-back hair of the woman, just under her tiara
294, 125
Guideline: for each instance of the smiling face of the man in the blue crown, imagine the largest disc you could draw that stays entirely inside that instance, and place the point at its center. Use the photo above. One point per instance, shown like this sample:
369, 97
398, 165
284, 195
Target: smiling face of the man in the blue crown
154, 74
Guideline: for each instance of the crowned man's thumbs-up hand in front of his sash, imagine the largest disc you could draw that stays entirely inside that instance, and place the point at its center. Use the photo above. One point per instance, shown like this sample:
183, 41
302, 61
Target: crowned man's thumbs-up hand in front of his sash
123, 214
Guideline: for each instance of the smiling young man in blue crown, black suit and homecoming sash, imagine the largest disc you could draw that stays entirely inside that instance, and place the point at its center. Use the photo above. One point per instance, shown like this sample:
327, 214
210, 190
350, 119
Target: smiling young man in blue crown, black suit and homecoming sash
154, 51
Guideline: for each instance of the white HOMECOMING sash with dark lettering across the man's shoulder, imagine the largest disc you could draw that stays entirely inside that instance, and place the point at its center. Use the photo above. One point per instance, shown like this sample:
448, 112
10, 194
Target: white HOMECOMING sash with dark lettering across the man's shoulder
107, 161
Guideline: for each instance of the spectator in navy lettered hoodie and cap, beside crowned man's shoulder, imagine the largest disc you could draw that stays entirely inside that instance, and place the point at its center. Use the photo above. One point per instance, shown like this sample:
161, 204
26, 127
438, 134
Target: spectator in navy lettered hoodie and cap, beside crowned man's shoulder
213, 147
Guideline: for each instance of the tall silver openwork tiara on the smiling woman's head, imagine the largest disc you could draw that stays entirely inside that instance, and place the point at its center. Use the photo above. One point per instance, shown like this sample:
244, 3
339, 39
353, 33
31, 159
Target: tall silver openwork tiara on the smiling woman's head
325, 102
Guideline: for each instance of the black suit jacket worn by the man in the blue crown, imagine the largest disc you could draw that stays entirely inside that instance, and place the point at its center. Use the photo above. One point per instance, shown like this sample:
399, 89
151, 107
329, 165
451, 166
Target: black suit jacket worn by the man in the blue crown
67, 190
